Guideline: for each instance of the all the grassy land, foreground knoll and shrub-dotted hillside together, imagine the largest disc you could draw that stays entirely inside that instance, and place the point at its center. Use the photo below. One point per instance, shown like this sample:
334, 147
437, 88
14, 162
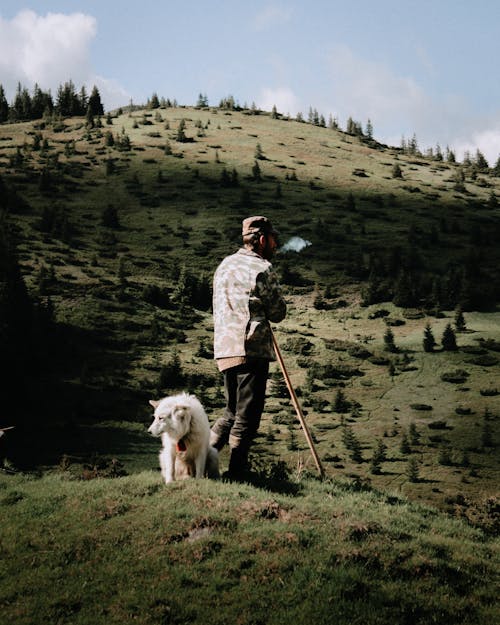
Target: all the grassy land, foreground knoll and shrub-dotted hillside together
117, 230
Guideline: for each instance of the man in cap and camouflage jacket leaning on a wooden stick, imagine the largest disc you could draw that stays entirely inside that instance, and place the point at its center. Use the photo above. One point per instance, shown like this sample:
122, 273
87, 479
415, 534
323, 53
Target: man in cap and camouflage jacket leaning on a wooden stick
247, 296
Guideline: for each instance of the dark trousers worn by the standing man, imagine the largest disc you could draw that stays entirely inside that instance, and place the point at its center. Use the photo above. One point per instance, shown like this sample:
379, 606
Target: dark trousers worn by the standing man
245, 391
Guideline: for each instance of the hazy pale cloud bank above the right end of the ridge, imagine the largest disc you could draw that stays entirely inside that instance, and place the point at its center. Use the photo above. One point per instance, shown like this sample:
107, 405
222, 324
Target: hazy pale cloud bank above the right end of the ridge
399, 105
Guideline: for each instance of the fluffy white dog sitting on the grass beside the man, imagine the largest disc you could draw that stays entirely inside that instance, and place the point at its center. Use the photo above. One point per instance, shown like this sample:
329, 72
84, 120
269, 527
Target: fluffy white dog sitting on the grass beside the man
183, 425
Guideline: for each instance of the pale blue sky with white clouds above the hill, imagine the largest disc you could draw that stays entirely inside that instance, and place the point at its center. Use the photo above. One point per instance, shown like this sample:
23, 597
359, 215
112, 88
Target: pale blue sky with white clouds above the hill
427, 68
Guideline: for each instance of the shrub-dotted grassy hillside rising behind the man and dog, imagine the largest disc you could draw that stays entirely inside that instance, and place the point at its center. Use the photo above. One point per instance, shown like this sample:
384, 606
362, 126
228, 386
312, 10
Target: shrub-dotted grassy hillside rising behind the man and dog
118, 230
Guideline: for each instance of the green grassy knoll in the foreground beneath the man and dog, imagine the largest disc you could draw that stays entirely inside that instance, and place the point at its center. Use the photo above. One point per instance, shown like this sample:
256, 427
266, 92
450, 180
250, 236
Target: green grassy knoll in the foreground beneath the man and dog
134, 550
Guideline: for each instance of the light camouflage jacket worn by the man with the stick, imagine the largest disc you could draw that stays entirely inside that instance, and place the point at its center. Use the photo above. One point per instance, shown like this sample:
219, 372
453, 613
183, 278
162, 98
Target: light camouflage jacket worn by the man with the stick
247, 296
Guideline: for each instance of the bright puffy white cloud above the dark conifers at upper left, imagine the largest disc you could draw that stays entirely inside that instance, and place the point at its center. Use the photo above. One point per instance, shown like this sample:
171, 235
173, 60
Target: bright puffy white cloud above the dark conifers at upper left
50, 50
